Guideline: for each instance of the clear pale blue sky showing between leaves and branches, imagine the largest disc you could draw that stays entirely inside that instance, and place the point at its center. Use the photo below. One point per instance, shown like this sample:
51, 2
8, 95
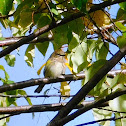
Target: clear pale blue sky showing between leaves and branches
22, 72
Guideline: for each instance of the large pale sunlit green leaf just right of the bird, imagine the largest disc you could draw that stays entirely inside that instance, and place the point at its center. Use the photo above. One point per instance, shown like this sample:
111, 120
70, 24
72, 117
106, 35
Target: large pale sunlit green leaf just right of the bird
78, 56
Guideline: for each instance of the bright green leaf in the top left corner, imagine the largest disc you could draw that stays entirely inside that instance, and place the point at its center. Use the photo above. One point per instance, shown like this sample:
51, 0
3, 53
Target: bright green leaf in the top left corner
5, 6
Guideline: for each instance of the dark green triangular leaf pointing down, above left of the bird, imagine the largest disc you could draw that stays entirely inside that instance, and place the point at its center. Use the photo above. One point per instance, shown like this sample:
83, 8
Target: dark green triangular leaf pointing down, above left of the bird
42, 47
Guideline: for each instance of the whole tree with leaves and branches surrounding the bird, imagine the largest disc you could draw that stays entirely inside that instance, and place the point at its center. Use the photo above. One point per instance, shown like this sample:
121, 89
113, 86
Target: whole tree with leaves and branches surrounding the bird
90, 33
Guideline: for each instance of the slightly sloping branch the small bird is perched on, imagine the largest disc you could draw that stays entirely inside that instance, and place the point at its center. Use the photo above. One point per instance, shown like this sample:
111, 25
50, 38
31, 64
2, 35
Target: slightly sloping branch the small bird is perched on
43, 81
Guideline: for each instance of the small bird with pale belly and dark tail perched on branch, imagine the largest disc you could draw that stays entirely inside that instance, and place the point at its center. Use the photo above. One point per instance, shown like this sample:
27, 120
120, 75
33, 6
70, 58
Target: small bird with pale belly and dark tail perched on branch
54, 67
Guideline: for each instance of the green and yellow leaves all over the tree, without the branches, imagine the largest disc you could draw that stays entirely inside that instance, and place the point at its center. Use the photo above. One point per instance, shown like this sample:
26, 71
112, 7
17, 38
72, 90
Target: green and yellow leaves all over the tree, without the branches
87, 37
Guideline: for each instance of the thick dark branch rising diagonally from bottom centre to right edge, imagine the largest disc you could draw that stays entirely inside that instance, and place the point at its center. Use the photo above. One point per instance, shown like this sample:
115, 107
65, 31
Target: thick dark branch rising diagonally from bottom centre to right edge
88, 86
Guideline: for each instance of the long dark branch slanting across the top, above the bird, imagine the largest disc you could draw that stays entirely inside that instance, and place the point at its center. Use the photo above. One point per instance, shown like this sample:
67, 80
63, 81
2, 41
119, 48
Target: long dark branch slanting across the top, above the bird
52, 26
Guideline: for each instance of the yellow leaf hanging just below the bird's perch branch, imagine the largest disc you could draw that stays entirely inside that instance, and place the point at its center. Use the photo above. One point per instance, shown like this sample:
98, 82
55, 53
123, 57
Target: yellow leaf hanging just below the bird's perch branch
65, 89
